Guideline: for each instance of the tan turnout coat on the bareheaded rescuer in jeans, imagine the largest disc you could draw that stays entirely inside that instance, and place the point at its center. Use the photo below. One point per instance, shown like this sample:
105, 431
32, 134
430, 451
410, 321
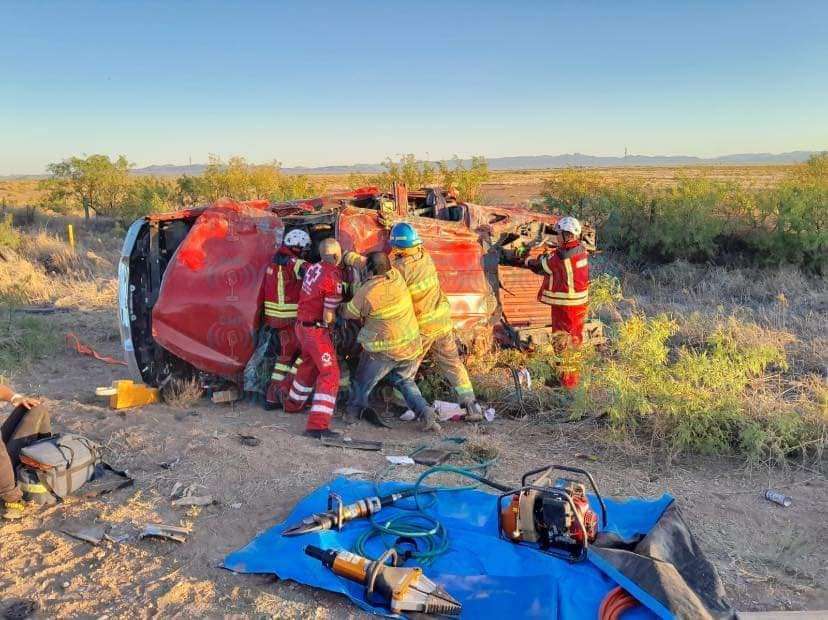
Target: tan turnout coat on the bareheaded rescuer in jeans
390, 326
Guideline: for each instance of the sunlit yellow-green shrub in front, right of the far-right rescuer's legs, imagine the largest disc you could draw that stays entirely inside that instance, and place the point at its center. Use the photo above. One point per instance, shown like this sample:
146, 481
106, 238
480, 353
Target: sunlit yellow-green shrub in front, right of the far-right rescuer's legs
698, 396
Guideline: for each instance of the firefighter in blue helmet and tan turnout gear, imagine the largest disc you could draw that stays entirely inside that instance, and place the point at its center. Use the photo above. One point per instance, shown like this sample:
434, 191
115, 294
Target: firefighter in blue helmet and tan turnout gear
432, 311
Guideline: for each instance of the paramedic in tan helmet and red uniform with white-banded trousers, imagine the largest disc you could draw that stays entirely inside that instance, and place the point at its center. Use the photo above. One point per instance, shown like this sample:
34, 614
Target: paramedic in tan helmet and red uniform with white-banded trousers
321, 295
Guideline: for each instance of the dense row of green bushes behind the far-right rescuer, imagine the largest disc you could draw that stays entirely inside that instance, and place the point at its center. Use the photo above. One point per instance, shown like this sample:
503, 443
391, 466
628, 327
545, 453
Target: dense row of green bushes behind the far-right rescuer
701, 220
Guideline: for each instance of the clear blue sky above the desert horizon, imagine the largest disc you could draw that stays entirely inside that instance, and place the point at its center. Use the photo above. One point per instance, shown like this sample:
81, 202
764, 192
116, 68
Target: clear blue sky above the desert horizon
314, 83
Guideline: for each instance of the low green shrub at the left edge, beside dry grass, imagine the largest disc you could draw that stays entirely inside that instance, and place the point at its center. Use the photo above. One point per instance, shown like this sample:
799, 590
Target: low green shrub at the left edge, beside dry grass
23, 339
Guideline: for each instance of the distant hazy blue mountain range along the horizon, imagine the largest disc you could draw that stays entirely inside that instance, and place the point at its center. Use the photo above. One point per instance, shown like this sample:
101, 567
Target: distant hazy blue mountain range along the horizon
535, 162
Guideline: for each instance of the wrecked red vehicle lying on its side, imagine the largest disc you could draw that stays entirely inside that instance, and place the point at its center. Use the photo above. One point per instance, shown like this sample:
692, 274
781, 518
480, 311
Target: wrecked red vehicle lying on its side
191, 282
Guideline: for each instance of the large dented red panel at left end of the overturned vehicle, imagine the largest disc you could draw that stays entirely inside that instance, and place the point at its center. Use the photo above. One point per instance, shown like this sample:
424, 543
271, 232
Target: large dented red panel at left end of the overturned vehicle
209, 305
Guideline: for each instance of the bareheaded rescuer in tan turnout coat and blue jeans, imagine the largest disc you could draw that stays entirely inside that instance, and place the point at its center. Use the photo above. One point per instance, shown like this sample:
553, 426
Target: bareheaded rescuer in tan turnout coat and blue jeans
390, 340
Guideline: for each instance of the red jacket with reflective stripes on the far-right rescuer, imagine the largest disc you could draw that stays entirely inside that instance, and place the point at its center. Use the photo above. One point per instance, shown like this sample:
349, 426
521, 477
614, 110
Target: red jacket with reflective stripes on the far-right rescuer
566, 276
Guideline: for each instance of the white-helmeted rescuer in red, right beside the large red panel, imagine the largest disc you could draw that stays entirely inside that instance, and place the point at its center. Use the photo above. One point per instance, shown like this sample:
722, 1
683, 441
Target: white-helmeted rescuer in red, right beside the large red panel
283, 282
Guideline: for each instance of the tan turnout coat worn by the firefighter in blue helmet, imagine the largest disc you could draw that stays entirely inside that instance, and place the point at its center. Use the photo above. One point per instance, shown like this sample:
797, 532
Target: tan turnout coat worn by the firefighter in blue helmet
430, 304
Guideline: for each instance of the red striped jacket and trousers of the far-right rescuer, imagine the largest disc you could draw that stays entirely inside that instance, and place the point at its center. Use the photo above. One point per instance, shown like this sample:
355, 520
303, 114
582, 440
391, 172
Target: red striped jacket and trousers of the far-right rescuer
565, 290
